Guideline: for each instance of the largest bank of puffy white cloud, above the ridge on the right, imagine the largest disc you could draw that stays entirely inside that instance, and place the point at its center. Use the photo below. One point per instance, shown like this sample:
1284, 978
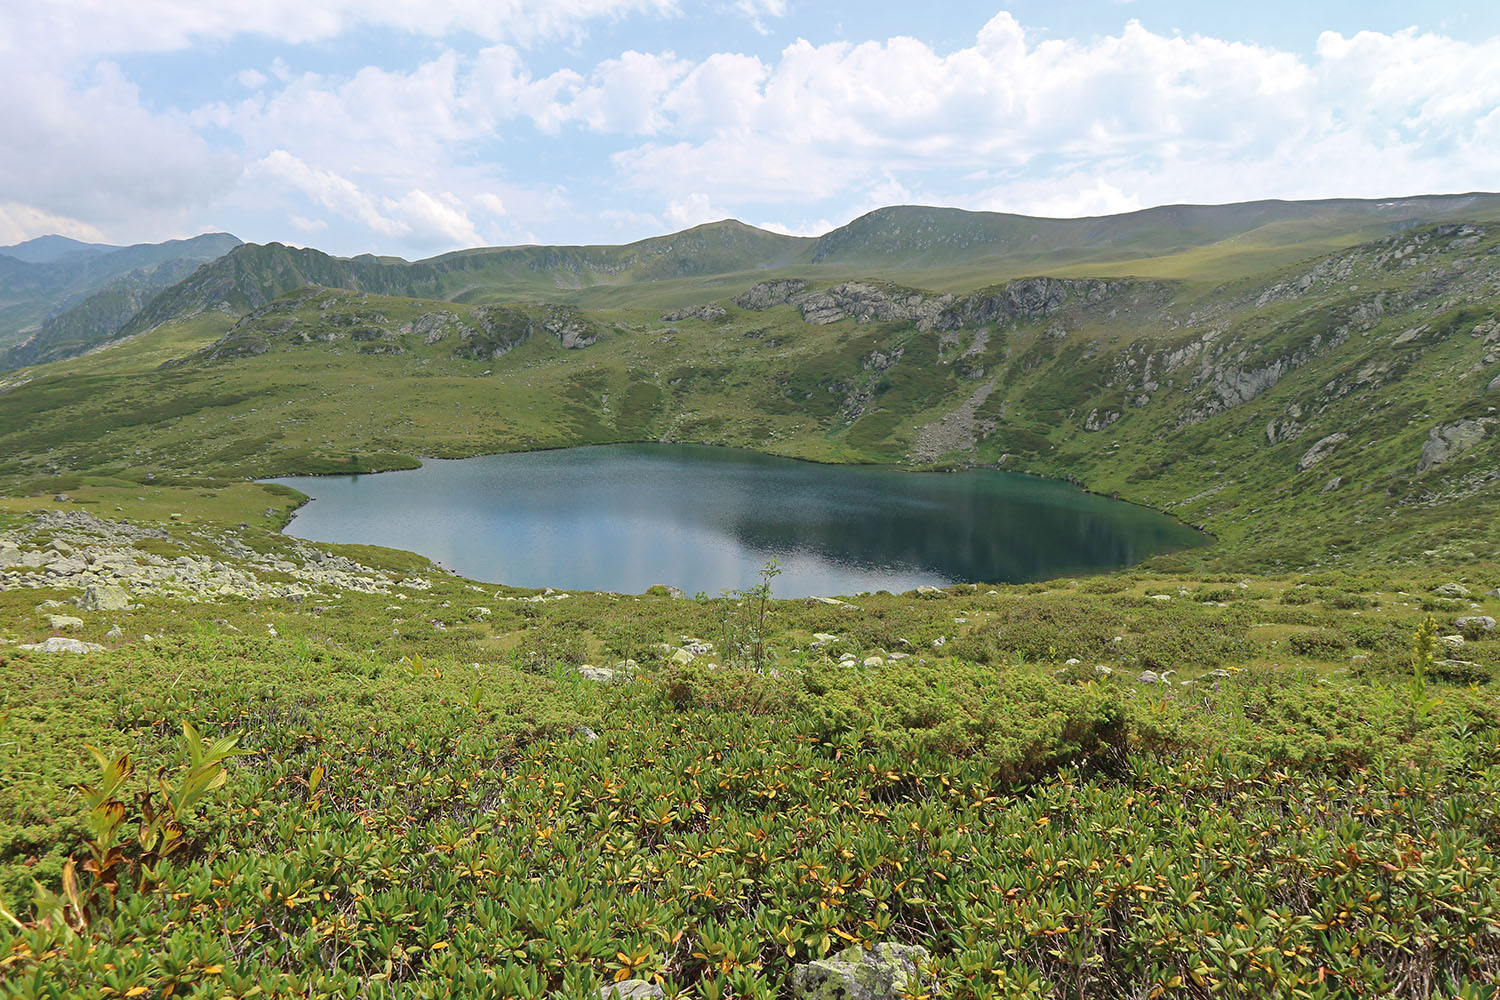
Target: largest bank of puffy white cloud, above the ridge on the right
1069, 128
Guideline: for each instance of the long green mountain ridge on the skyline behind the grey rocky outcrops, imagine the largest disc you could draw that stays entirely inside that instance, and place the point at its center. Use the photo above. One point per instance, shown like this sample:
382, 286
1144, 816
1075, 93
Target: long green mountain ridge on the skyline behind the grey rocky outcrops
955, 248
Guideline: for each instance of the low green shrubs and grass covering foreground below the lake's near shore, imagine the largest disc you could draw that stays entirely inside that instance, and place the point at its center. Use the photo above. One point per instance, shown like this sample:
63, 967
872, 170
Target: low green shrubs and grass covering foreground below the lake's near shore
424, 806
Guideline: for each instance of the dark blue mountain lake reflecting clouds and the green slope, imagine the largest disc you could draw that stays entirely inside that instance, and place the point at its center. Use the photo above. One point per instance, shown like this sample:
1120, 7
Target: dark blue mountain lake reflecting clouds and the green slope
623, 518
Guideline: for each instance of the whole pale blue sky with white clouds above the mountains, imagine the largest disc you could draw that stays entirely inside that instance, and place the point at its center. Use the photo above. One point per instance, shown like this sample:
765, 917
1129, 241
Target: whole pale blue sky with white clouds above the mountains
421, 127
